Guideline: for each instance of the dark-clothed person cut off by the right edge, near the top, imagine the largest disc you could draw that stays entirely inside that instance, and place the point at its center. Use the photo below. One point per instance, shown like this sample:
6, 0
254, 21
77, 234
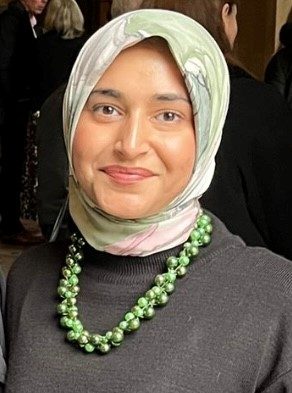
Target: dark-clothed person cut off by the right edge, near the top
279, 69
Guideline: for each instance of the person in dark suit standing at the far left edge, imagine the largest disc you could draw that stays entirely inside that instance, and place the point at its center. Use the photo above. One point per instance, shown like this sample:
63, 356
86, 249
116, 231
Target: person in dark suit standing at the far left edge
17, 75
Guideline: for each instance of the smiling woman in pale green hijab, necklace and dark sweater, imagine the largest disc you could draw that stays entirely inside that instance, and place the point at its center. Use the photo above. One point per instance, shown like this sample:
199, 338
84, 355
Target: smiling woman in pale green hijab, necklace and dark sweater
142, 123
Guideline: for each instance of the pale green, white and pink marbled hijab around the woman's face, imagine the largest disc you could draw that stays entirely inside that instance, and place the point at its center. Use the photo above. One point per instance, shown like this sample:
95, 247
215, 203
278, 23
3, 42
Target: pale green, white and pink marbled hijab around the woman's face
206, 76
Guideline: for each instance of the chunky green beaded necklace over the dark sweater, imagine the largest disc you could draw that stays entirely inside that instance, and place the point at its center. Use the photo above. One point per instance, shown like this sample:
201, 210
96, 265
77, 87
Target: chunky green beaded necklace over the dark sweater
157, 295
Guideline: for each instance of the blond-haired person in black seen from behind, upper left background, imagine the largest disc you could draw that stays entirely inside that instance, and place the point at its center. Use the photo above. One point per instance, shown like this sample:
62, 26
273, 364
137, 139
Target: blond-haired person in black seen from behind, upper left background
59, 46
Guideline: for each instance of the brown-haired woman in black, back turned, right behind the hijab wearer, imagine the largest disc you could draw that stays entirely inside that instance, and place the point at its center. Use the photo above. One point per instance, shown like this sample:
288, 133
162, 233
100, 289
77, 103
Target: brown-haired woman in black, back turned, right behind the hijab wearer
251, 191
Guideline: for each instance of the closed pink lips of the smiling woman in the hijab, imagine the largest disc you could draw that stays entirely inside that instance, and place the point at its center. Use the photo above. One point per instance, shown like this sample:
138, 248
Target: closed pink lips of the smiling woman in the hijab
126, 175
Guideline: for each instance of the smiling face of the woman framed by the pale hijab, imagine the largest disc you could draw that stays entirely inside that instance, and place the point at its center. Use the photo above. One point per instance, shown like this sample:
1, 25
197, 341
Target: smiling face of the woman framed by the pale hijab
134, 147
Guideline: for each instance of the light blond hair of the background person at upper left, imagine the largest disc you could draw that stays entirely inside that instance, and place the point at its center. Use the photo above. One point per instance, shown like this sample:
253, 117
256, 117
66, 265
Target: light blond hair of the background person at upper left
65, 17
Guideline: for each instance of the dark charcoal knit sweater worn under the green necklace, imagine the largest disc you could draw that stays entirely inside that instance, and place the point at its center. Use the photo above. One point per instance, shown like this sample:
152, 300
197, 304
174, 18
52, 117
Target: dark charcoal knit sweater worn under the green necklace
227, 327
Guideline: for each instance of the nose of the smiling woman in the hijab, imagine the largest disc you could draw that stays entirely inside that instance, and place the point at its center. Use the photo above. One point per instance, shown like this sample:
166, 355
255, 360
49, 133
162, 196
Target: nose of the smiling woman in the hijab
132, 139
